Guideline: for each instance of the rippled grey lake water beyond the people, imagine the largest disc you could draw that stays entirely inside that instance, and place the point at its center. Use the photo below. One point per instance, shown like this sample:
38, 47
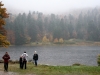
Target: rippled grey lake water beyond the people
57, 55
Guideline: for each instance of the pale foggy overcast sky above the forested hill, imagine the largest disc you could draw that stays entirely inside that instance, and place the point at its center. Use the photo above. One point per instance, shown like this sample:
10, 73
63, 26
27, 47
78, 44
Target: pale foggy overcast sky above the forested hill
49, 6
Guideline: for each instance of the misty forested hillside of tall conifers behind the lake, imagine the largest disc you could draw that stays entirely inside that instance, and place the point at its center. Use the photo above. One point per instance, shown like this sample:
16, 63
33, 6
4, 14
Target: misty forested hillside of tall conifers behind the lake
34, 26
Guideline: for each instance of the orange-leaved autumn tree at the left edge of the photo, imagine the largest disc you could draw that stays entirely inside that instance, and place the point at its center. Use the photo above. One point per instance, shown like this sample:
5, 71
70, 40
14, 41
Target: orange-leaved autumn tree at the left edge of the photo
3, 15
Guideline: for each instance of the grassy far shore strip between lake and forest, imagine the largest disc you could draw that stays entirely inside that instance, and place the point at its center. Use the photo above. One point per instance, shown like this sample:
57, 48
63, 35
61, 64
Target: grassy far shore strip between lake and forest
67, 43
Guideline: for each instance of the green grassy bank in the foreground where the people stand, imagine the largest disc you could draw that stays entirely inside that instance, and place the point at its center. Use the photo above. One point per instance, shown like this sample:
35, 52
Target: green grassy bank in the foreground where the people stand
53, 70
